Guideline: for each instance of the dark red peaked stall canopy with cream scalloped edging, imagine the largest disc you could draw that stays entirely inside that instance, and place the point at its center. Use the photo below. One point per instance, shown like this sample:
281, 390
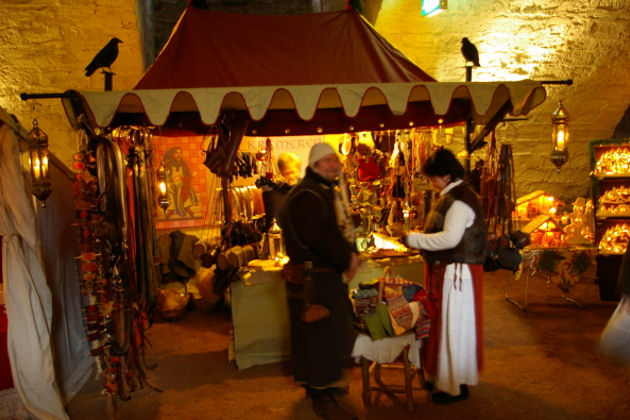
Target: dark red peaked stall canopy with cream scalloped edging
317, 73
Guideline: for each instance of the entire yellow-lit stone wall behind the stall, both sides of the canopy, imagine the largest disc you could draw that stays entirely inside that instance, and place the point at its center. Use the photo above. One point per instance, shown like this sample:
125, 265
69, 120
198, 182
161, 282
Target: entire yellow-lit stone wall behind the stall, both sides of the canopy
45, 45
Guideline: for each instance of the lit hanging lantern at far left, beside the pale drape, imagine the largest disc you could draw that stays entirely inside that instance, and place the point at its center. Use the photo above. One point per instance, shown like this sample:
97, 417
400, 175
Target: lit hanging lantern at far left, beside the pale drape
38, 161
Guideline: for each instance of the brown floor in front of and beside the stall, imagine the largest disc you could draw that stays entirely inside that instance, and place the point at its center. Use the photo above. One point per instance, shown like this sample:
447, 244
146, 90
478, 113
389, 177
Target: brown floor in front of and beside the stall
541, 363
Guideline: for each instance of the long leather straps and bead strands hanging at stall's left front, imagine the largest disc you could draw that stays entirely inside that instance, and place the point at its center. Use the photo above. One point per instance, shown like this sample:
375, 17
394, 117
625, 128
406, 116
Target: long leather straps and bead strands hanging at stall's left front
115, 314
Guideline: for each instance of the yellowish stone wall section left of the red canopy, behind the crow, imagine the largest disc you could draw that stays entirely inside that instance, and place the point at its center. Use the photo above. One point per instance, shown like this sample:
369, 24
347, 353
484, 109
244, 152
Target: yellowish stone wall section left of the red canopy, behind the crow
44, 48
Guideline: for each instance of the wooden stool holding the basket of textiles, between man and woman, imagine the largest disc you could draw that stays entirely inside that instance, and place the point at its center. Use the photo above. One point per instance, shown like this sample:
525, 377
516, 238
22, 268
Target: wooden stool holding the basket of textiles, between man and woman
410, 371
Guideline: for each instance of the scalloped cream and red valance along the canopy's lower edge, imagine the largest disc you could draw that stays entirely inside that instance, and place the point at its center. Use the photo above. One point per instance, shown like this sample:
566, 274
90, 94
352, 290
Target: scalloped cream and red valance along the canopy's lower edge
318, 108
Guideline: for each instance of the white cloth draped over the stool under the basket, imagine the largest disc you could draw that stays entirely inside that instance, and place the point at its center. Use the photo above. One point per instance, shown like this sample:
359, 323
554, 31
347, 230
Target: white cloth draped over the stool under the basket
387, 349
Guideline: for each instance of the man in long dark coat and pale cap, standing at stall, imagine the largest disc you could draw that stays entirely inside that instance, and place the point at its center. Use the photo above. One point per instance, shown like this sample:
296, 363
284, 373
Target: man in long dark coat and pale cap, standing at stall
313, 233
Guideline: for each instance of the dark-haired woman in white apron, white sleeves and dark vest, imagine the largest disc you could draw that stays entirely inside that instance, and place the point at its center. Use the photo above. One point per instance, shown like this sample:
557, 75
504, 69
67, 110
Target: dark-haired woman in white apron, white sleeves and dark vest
453, 243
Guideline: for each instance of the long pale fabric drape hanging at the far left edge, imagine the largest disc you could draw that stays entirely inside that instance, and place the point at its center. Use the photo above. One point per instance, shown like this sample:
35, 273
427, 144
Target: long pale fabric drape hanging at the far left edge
28, 298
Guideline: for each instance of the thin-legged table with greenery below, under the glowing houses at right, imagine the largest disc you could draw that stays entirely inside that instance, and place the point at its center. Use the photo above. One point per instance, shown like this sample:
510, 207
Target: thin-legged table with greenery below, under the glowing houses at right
562, 267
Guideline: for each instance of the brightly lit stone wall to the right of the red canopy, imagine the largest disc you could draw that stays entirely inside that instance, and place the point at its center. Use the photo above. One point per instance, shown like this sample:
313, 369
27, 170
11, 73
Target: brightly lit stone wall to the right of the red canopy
531, 39
